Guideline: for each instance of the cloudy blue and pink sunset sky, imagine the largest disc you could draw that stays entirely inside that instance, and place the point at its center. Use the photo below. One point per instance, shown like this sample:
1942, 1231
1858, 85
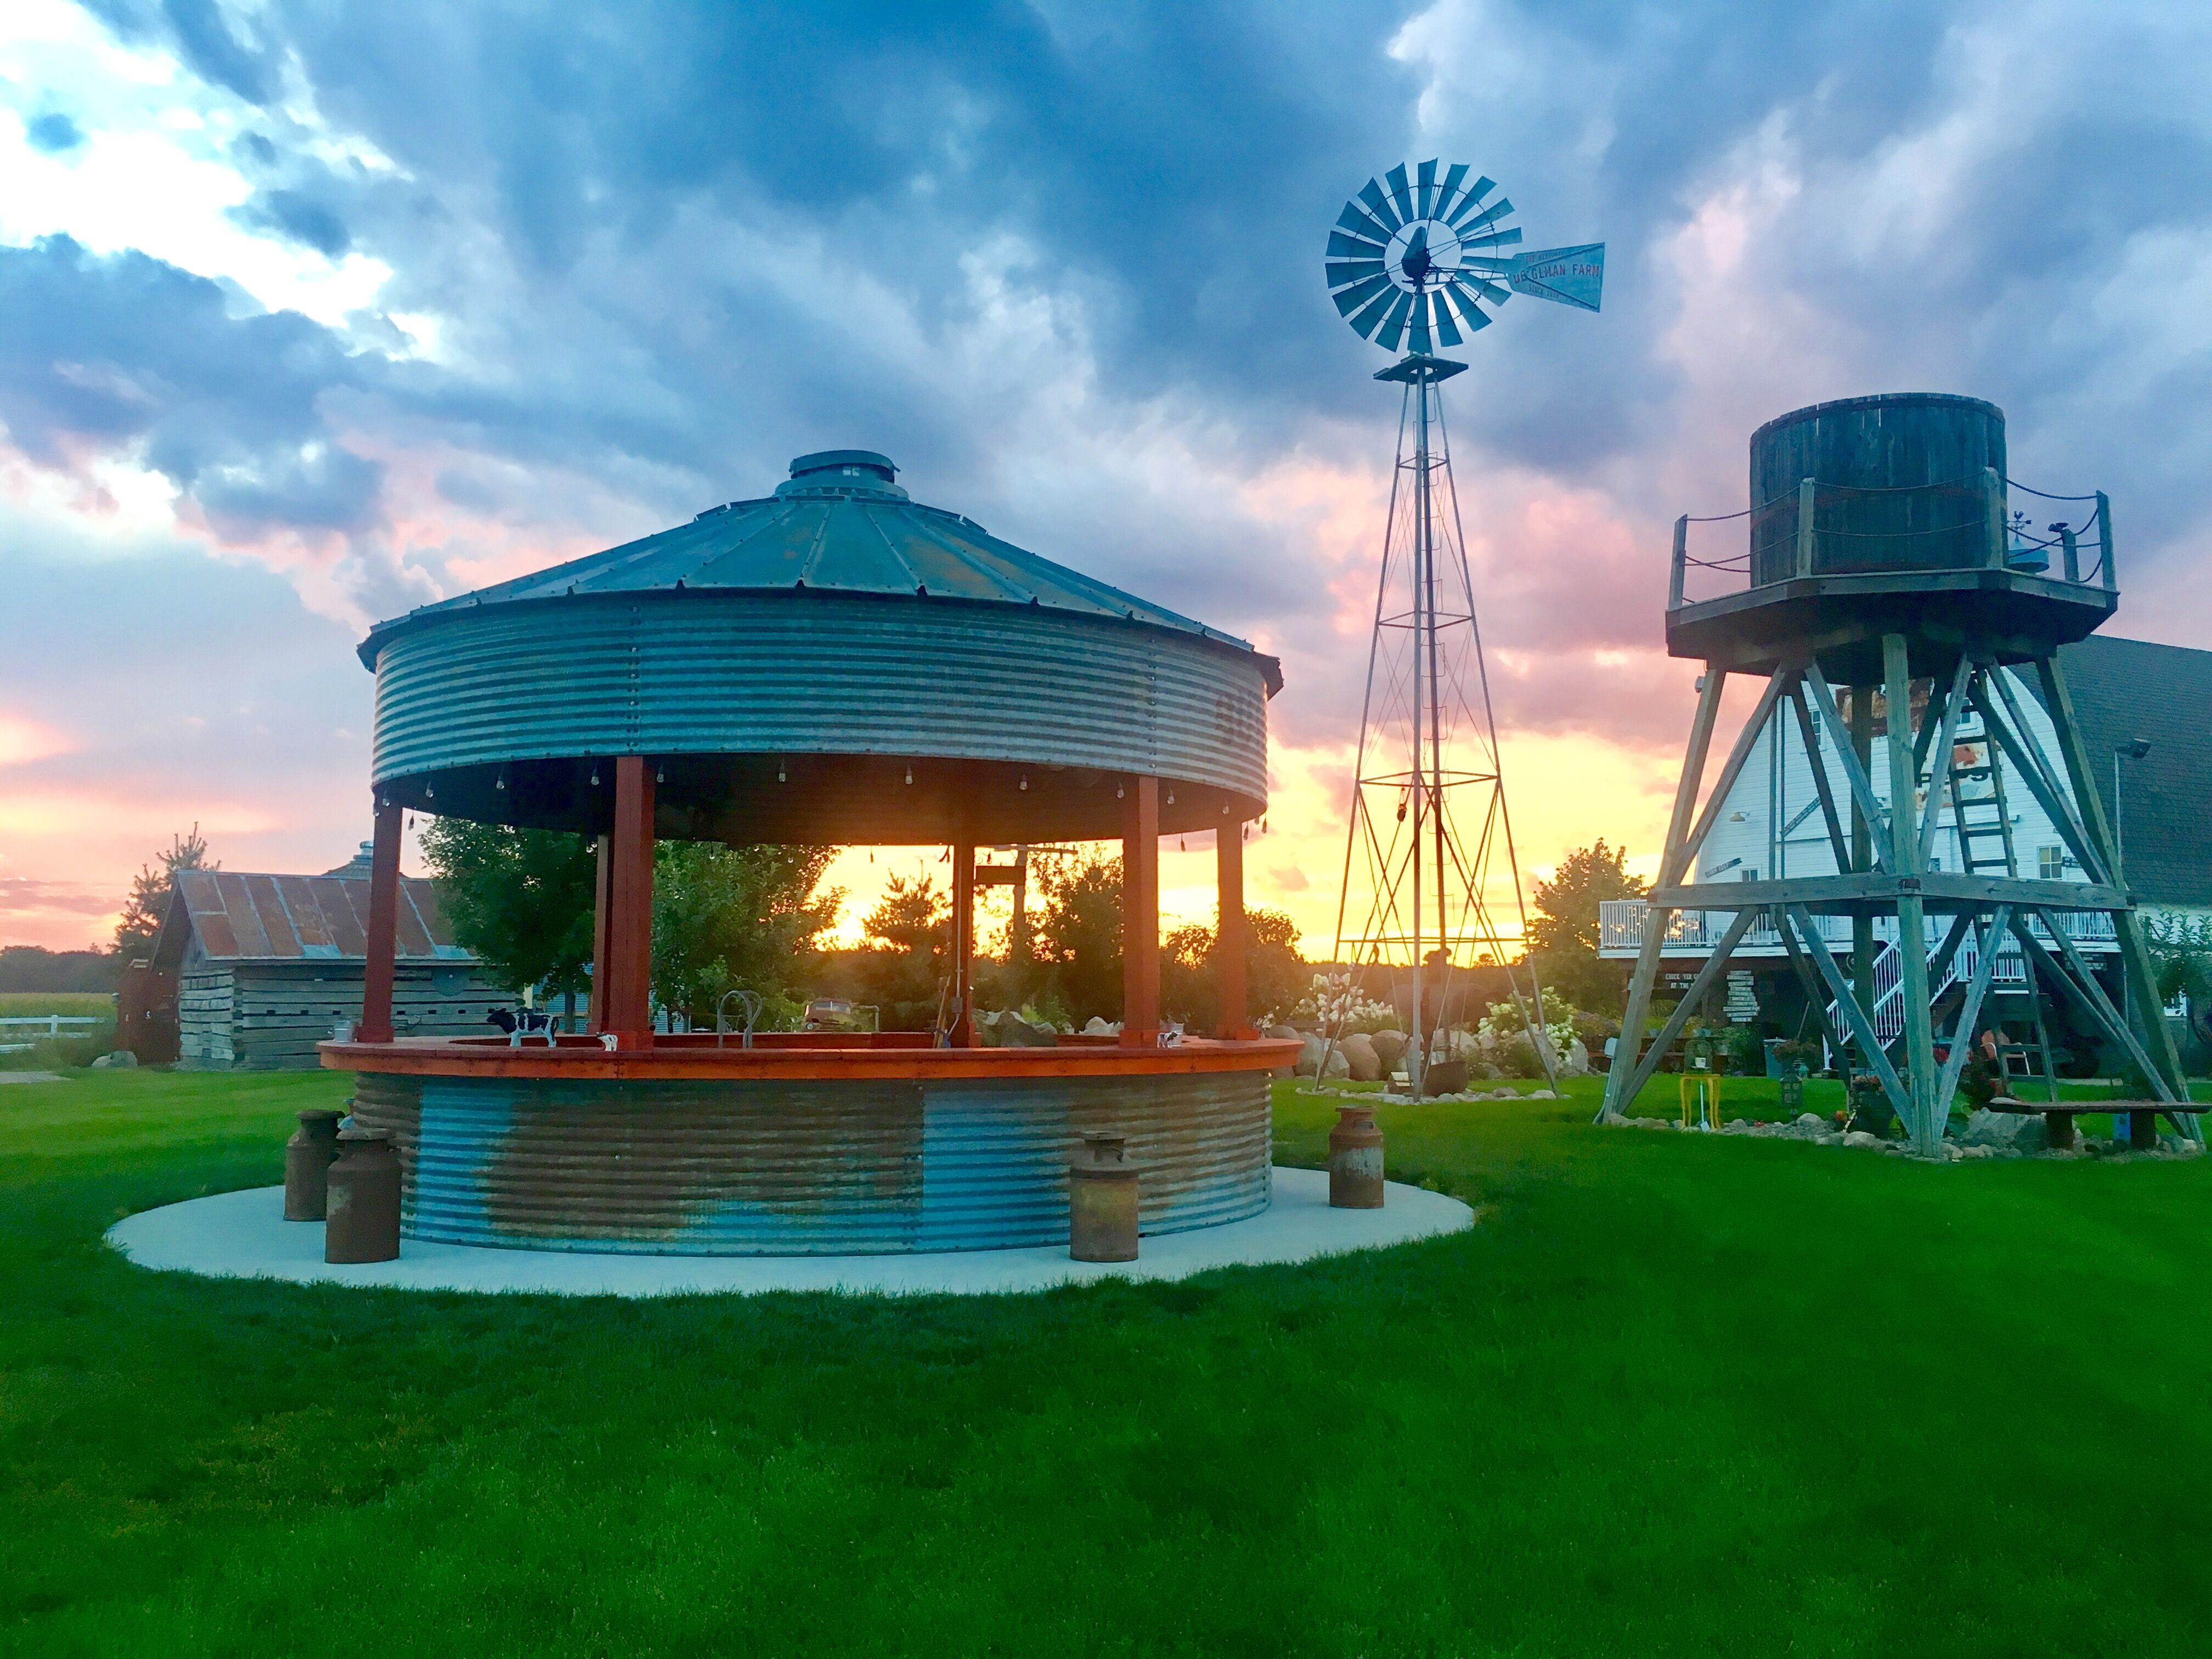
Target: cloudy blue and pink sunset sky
311, 313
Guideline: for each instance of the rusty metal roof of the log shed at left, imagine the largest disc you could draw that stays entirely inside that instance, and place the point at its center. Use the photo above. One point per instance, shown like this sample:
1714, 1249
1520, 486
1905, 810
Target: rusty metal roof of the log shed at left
242, 917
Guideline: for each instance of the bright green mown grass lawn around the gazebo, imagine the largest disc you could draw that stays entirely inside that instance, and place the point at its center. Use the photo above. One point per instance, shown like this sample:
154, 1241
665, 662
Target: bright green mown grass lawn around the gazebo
1673, 1397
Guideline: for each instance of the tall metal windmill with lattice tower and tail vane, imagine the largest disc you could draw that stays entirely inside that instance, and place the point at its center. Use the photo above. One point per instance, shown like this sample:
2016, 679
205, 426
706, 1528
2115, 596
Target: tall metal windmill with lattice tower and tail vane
1415, 262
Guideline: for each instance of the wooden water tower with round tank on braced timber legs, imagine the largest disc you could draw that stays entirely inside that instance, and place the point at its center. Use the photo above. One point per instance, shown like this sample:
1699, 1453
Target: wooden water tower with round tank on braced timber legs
1892, 607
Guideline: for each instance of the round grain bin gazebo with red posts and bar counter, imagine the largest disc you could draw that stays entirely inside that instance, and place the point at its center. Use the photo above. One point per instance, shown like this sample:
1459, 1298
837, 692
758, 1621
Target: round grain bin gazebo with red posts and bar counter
831, 665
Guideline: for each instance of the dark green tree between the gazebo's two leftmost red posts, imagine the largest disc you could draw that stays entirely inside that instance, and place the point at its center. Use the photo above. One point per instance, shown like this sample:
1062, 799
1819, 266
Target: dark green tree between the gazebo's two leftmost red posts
521, 899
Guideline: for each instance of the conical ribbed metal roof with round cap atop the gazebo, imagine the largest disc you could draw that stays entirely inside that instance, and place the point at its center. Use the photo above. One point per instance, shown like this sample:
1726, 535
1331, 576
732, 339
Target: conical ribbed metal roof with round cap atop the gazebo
839, 525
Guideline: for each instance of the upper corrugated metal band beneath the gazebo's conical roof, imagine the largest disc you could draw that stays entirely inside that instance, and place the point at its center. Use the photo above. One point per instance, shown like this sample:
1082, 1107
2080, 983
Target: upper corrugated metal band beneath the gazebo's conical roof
709, 674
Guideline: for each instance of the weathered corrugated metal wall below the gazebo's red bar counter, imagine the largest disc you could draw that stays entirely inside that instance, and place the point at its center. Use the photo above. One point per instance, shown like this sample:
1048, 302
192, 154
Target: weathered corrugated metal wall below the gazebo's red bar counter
744, 1169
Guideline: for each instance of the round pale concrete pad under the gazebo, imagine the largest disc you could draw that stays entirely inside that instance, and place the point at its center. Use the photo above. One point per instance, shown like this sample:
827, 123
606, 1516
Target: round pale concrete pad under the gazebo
244, 1235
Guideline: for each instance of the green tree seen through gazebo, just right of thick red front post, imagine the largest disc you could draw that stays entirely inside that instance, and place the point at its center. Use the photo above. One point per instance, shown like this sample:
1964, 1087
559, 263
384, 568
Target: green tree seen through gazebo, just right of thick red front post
738, 919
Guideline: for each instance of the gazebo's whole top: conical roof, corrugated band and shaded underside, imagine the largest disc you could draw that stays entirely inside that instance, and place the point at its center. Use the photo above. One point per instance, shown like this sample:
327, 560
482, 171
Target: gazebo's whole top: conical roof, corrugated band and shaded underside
791, 660
